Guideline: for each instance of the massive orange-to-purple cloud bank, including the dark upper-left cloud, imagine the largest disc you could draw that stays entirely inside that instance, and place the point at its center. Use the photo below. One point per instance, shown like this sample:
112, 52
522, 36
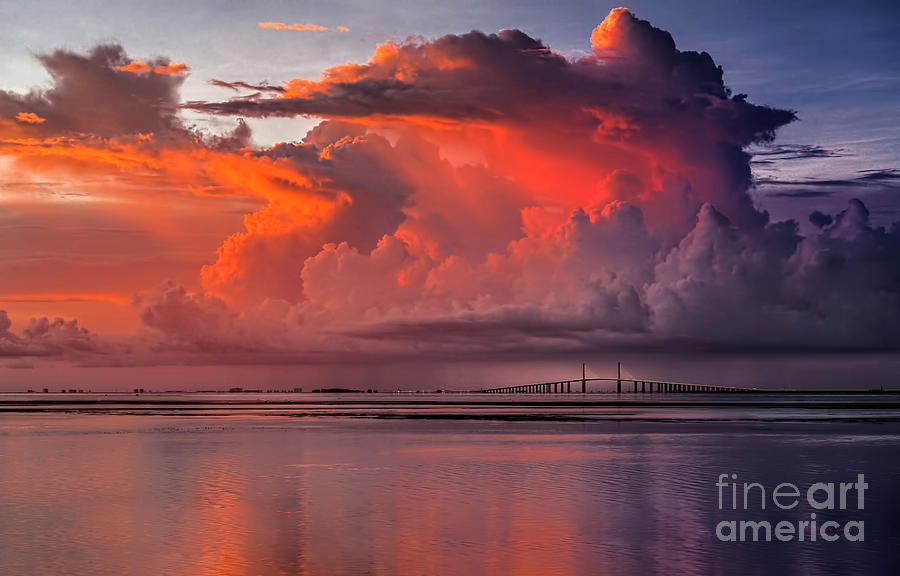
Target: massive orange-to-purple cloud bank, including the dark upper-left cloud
476, 193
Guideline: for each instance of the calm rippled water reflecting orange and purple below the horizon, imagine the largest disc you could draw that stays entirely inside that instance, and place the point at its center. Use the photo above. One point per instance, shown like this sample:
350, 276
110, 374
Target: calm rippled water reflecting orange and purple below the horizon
201, 487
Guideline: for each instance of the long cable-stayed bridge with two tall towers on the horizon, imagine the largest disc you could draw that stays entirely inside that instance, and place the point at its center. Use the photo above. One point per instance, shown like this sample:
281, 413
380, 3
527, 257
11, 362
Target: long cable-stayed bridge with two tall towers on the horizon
636, 385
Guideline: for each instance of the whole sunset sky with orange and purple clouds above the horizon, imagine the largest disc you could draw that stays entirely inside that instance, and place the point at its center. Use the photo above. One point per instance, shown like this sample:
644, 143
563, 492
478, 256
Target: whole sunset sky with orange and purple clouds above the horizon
404, 192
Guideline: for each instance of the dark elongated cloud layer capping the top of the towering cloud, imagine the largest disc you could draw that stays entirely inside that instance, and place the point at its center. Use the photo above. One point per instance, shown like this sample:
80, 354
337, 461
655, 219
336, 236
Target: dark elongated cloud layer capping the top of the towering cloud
510, 76
